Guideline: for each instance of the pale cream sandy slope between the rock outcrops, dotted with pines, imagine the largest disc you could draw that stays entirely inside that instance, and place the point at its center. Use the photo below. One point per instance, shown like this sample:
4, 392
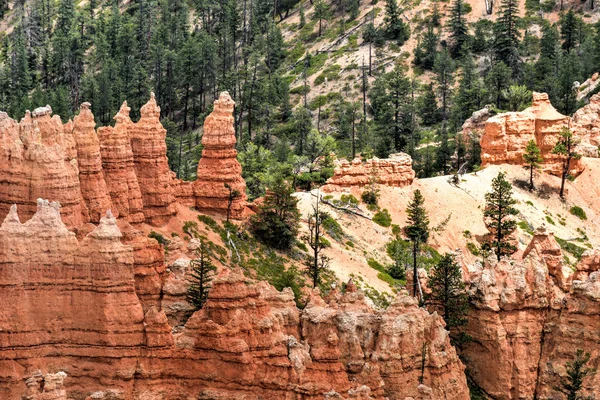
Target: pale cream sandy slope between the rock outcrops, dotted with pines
464, 205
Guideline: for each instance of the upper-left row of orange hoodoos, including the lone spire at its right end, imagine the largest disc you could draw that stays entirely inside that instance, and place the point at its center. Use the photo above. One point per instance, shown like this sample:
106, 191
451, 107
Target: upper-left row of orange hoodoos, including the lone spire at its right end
122, 168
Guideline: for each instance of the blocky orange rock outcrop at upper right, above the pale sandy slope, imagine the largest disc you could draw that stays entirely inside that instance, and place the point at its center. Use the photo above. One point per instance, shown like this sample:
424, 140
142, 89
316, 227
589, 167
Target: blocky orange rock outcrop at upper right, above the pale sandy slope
506, 135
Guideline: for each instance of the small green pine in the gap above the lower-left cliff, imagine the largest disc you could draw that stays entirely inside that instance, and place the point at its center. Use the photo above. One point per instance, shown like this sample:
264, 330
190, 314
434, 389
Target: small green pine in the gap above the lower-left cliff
203, 271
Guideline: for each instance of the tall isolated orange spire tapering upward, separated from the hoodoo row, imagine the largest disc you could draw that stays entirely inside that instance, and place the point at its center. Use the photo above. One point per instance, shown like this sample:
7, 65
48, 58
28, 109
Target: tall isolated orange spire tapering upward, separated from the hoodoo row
219, 165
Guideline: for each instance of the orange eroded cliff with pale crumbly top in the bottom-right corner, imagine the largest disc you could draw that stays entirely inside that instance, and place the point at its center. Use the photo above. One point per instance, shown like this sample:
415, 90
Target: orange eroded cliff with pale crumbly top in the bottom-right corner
529, 319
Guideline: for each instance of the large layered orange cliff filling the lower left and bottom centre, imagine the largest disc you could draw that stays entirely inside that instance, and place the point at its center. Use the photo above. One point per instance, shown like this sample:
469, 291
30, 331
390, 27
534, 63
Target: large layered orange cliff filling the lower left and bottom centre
74, 306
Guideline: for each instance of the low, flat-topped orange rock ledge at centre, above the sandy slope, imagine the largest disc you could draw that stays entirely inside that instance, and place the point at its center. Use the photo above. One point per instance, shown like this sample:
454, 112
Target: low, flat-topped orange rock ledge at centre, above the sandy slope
394, 171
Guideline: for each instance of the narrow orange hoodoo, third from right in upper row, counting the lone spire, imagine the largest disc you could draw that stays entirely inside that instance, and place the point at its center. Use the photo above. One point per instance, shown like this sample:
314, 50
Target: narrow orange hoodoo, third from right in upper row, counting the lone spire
119, 171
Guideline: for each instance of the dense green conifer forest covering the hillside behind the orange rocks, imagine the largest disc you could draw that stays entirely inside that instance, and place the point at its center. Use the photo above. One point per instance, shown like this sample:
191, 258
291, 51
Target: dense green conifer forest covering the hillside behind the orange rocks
63, 53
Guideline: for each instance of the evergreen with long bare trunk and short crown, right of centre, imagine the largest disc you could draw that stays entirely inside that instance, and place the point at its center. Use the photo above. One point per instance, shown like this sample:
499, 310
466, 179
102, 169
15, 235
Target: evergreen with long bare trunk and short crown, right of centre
417, 231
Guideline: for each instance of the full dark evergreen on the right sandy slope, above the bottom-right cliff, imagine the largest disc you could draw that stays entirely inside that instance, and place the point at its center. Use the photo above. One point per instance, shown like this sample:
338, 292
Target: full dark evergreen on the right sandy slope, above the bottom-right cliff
499, 213
